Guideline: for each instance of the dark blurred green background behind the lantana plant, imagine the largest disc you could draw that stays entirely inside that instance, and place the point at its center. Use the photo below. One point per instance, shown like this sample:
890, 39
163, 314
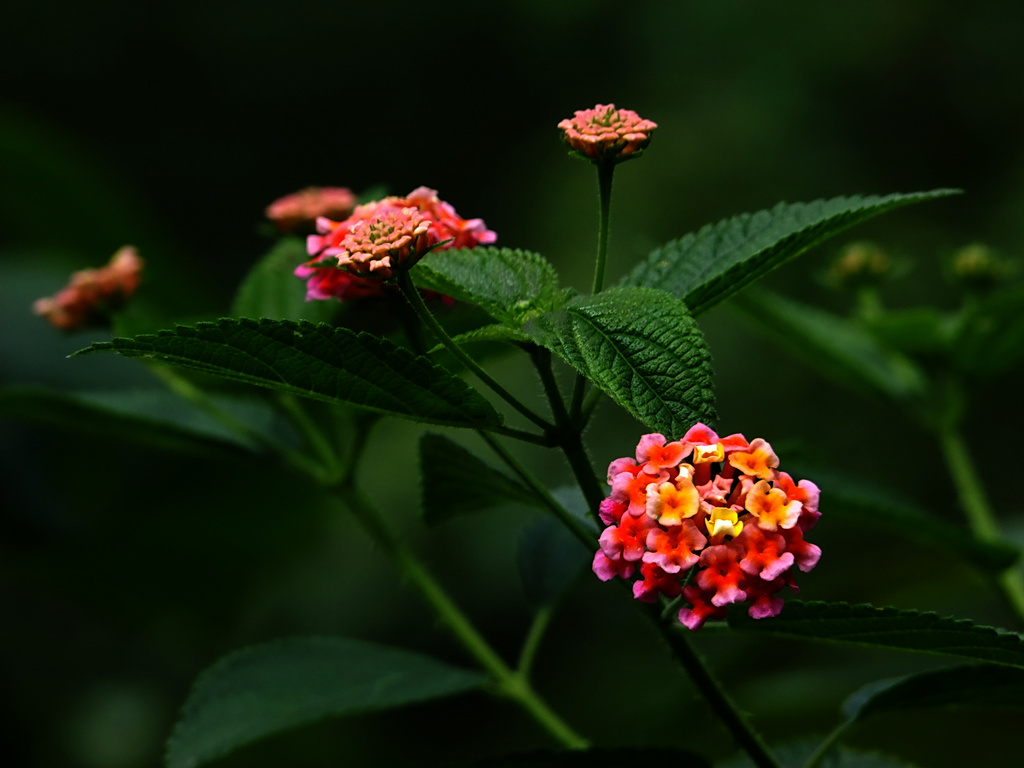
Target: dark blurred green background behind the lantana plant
126, 571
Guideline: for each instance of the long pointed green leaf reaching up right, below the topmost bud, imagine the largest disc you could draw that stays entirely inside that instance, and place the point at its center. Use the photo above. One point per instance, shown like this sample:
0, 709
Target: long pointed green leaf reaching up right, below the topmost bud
710, 266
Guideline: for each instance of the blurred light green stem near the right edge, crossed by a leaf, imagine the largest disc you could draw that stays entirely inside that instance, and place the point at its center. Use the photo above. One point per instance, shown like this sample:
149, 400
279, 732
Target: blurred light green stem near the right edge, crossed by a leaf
978, 513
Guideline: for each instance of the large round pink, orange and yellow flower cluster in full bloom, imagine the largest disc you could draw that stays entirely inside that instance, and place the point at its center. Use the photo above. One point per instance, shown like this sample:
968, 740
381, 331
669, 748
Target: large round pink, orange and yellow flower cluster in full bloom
712, 520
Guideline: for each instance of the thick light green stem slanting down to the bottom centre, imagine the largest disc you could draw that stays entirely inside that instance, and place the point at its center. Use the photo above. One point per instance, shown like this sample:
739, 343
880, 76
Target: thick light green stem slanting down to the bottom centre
509, 684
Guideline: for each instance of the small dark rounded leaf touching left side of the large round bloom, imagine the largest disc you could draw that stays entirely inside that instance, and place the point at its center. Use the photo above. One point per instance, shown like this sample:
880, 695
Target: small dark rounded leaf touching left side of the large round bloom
550, 559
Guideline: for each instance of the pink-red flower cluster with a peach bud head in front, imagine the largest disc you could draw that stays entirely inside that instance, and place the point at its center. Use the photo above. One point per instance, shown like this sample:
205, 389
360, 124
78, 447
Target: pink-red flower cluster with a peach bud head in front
352, 257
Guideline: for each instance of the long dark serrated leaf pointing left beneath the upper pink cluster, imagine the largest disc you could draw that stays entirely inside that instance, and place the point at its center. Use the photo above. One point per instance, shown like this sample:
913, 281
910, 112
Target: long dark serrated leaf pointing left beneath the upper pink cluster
328, 364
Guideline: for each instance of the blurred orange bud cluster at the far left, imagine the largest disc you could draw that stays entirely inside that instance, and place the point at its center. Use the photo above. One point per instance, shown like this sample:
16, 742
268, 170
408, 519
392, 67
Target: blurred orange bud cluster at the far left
93, 294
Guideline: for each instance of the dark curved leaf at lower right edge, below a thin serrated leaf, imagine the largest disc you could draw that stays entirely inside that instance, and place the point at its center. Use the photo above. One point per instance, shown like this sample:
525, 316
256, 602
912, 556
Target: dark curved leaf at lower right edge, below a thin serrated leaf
975, 687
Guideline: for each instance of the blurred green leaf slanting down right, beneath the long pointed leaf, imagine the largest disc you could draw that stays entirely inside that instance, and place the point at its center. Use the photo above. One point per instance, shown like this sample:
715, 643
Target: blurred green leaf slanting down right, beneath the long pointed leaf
835, 346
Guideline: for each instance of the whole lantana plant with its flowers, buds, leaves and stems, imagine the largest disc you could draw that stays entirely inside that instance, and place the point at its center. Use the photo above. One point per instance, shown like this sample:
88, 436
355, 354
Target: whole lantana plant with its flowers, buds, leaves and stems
707, 533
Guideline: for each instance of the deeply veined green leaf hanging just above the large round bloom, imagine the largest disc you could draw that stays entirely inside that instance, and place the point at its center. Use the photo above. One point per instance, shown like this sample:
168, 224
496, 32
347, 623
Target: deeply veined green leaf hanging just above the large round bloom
643, 349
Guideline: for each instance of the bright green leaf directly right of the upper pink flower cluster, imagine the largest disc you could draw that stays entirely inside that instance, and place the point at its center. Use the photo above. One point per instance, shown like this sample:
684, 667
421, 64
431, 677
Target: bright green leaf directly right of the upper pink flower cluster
511, 286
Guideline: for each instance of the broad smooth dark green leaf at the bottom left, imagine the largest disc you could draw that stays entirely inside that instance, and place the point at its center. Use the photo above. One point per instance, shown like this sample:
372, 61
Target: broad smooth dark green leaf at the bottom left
265, 690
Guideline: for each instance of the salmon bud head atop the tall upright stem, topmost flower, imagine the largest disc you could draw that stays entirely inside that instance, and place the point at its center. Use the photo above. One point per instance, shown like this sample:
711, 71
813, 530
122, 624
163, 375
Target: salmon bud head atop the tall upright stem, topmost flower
606, 134
